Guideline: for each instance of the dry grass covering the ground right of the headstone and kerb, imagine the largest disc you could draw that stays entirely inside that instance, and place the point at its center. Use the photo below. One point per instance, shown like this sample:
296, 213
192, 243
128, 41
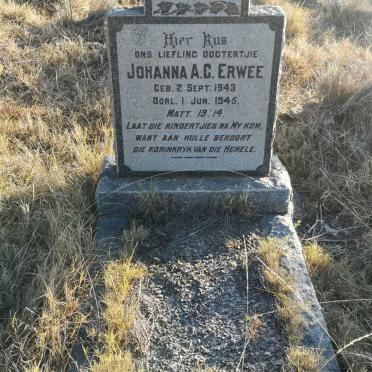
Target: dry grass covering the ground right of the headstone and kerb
325, 139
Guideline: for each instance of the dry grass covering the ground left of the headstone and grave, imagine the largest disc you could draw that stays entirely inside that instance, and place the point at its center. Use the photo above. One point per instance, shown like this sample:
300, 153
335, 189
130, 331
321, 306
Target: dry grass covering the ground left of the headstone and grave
55, 129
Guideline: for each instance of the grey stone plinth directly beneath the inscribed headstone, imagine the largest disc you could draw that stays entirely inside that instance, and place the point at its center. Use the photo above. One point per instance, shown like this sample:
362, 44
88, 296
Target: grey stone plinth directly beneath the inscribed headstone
117, 196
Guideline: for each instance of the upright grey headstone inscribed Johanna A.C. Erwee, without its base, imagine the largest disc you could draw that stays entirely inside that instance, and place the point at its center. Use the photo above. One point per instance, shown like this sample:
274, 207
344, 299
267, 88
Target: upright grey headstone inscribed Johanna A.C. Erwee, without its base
194, 86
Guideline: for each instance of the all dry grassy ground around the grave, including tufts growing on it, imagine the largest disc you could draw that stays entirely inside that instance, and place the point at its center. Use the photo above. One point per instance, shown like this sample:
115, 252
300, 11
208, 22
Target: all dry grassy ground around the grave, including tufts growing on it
56, 128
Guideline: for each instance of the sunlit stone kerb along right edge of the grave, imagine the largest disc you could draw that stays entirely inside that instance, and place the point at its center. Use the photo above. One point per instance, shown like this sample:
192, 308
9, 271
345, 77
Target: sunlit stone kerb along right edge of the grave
316, 335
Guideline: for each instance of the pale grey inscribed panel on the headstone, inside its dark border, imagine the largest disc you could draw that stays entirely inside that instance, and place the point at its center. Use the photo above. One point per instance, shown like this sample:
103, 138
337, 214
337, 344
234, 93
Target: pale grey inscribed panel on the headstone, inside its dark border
194, 97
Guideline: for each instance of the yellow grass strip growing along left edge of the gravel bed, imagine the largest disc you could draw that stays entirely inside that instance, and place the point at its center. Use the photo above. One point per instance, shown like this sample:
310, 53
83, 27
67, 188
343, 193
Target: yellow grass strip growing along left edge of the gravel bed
120, 306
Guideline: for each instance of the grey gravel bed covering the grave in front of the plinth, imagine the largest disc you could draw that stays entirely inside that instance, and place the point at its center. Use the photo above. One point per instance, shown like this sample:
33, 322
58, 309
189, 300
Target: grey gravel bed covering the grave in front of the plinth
195, 302
